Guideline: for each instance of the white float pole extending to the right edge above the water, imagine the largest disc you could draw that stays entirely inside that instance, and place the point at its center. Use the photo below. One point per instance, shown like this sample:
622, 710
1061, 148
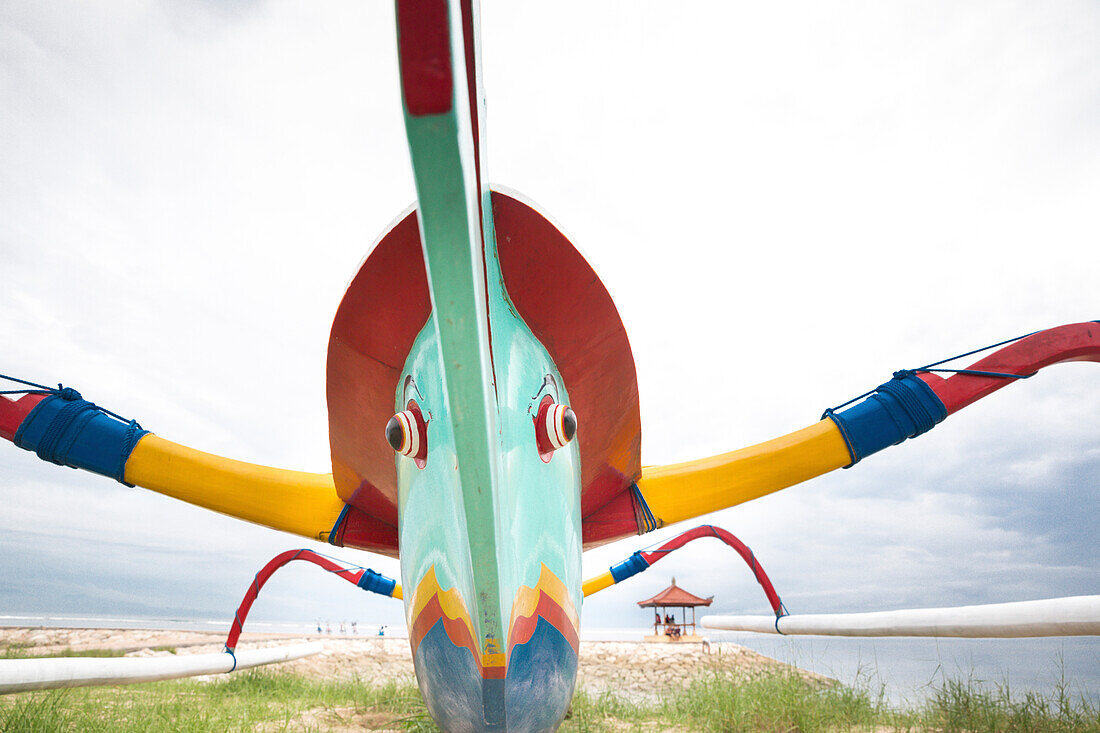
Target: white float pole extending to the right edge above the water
1079, 616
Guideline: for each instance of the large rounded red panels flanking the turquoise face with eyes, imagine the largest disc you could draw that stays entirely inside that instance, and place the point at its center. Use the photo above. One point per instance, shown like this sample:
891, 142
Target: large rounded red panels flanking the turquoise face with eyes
568, 310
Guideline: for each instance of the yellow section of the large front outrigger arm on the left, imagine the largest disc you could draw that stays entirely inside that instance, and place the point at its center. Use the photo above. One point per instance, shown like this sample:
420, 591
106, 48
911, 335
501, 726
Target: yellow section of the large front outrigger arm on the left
293, 501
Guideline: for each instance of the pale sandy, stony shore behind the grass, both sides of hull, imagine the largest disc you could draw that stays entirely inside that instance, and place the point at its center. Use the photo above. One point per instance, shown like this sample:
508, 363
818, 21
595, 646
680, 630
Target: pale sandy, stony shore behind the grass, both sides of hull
632, 670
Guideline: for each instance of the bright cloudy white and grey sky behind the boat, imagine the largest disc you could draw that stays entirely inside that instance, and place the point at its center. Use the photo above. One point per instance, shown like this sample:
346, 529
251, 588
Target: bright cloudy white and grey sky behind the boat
788, 202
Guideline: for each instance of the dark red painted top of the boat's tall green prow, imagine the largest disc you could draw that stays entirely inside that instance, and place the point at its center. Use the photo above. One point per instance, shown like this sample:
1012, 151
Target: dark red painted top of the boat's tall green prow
424, 50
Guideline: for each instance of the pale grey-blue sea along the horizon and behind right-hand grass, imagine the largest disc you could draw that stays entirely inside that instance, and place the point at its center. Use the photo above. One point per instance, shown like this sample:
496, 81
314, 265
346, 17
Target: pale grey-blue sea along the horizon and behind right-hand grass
901, 672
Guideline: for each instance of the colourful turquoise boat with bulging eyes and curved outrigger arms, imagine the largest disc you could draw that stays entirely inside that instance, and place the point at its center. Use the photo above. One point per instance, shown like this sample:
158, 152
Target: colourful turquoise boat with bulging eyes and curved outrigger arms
485, 423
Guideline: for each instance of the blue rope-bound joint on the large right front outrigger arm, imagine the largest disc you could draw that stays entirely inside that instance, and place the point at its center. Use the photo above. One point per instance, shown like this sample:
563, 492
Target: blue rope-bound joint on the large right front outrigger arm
904, 408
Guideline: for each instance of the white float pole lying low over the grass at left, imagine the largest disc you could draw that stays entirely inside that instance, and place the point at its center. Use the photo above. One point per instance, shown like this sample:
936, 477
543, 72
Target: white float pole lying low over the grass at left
23, 675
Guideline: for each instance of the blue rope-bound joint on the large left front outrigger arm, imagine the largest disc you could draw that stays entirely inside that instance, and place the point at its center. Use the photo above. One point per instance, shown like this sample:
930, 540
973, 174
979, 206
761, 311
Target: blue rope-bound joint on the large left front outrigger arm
69, 431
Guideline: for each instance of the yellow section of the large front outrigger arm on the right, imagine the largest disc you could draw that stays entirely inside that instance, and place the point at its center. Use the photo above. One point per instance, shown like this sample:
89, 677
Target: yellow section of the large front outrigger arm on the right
684, 491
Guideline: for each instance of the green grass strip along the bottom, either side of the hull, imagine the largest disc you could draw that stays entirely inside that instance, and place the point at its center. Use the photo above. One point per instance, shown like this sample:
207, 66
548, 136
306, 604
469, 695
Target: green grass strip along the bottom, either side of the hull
774, 703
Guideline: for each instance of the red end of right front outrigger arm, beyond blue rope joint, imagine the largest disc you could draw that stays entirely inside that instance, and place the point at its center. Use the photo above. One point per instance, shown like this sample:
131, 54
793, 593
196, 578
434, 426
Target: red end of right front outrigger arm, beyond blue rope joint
1073, 343
